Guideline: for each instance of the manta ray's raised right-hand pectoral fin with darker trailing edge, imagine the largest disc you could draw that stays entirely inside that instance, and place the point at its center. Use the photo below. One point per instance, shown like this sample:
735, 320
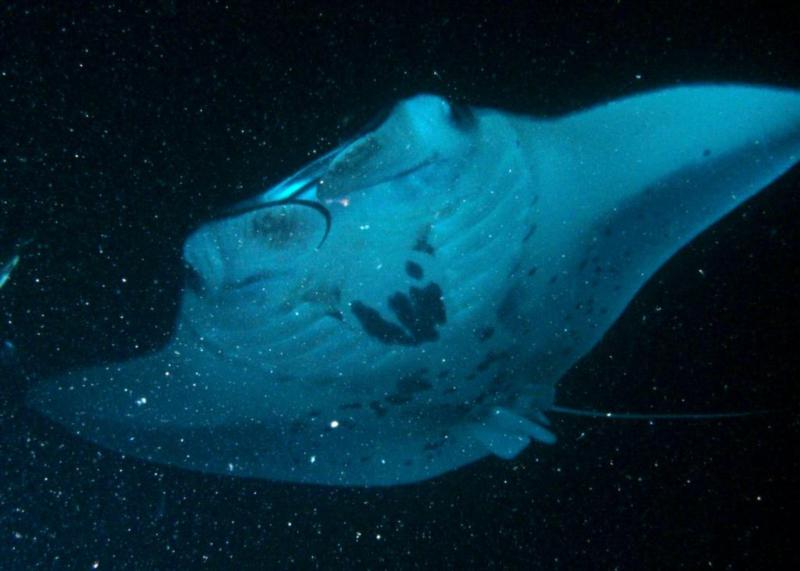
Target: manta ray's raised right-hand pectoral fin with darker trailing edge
626, 184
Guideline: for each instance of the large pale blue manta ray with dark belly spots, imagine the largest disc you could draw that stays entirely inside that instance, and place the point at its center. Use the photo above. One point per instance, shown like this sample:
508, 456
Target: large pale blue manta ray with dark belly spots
407, 303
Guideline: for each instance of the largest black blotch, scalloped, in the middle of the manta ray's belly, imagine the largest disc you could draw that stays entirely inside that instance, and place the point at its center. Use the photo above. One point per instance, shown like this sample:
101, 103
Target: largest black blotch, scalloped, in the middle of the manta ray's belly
420, 313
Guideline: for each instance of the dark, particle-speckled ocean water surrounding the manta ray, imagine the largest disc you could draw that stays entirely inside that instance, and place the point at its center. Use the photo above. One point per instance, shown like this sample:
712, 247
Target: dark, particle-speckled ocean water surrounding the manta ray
124, 127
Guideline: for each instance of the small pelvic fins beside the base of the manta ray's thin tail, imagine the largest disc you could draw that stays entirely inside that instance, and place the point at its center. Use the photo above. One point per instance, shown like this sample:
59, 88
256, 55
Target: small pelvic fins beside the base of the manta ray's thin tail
505, 433
